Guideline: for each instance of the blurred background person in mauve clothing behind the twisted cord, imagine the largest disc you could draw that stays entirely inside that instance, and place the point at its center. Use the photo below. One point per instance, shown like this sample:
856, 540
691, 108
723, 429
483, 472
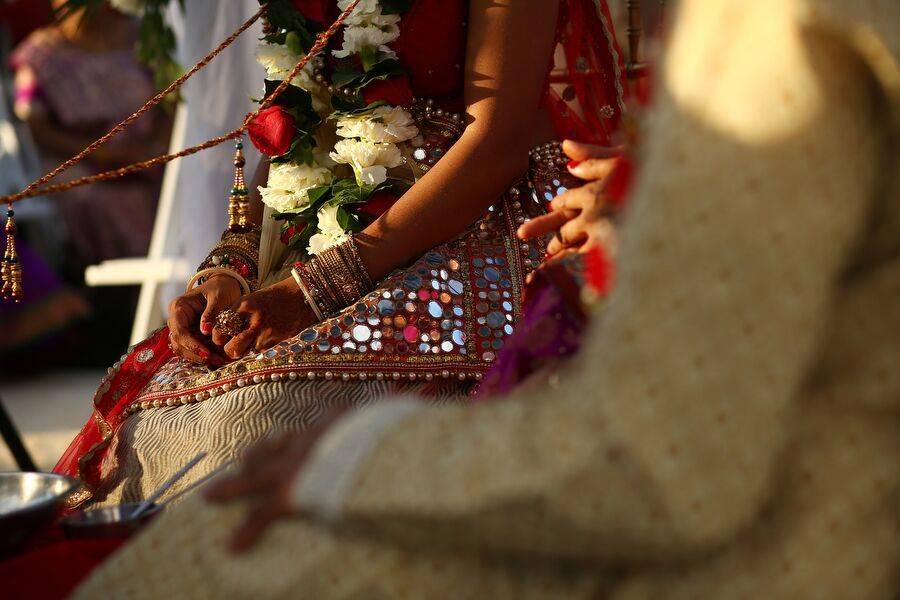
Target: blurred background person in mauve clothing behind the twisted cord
74, 81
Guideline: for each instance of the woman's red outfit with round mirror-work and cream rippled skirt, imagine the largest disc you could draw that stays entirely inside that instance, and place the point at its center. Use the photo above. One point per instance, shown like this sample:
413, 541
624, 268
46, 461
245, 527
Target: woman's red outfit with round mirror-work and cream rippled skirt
433, 328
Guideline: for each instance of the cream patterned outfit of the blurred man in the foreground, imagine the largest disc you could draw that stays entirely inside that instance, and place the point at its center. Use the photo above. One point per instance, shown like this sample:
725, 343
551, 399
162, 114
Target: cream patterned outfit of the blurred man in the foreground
731, 428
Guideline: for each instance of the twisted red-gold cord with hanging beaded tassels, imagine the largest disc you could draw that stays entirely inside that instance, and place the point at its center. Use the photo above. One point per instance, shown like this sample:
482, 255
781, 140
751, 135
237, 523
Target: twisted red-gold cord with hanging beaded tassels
11, 270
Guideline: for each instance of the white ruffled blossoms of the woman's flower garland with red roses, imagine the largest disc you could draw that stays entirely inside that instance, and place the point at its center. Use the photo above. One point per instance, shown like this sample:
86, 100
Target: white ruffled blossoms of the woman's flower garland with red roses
369, 141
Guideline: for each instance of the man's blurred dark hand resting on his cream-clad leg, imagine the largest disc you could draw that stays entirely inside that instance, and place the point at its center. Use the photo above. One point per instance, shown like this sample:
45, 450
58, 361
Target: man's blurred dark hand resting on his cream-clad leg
266, 475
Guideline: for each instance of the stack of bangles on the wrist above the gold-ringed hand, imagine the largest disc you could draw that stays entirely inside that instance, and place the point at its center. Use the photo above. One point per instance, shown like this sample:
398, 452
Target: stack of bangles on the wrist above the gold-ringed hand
333, 280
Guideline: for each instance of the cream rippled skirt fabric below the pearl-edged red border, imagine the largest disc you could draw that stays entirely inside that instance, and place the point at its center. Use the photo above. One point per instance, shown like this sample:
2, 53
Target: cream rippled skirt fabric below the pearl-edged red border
153, 444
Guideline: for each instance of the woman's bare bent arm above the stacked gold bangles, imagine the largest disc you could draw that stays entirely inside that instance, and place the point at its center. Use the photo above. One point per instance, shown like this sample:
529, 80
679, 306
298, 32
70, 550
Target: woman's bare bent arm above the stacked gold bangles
509, 47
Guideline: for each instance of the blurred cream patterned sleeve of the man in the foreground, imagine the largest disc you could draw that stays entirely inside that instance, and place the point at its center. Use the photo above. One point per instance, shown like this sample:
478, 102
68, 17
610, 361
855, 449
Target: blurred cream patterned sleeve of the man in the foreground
662, 436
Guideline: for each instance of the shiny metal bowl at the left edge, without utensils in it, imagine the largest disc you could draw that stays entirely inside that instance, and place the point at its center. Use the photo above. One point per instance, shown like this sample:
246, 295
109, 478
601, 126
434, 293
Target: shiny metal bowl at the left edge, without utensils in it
28, 503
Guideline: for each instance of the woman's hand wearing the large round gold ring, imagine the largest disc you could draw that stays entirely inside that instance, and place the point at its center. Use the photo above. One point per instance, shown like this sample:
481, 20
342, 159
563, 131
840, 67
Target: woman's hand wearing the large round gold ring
270, 315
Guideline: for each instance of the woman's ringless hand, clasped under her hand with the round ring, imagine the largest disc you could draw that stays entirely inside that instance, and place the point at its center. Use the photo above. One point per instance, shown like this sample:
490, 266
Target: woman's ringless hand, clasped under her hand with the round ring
192, 316
